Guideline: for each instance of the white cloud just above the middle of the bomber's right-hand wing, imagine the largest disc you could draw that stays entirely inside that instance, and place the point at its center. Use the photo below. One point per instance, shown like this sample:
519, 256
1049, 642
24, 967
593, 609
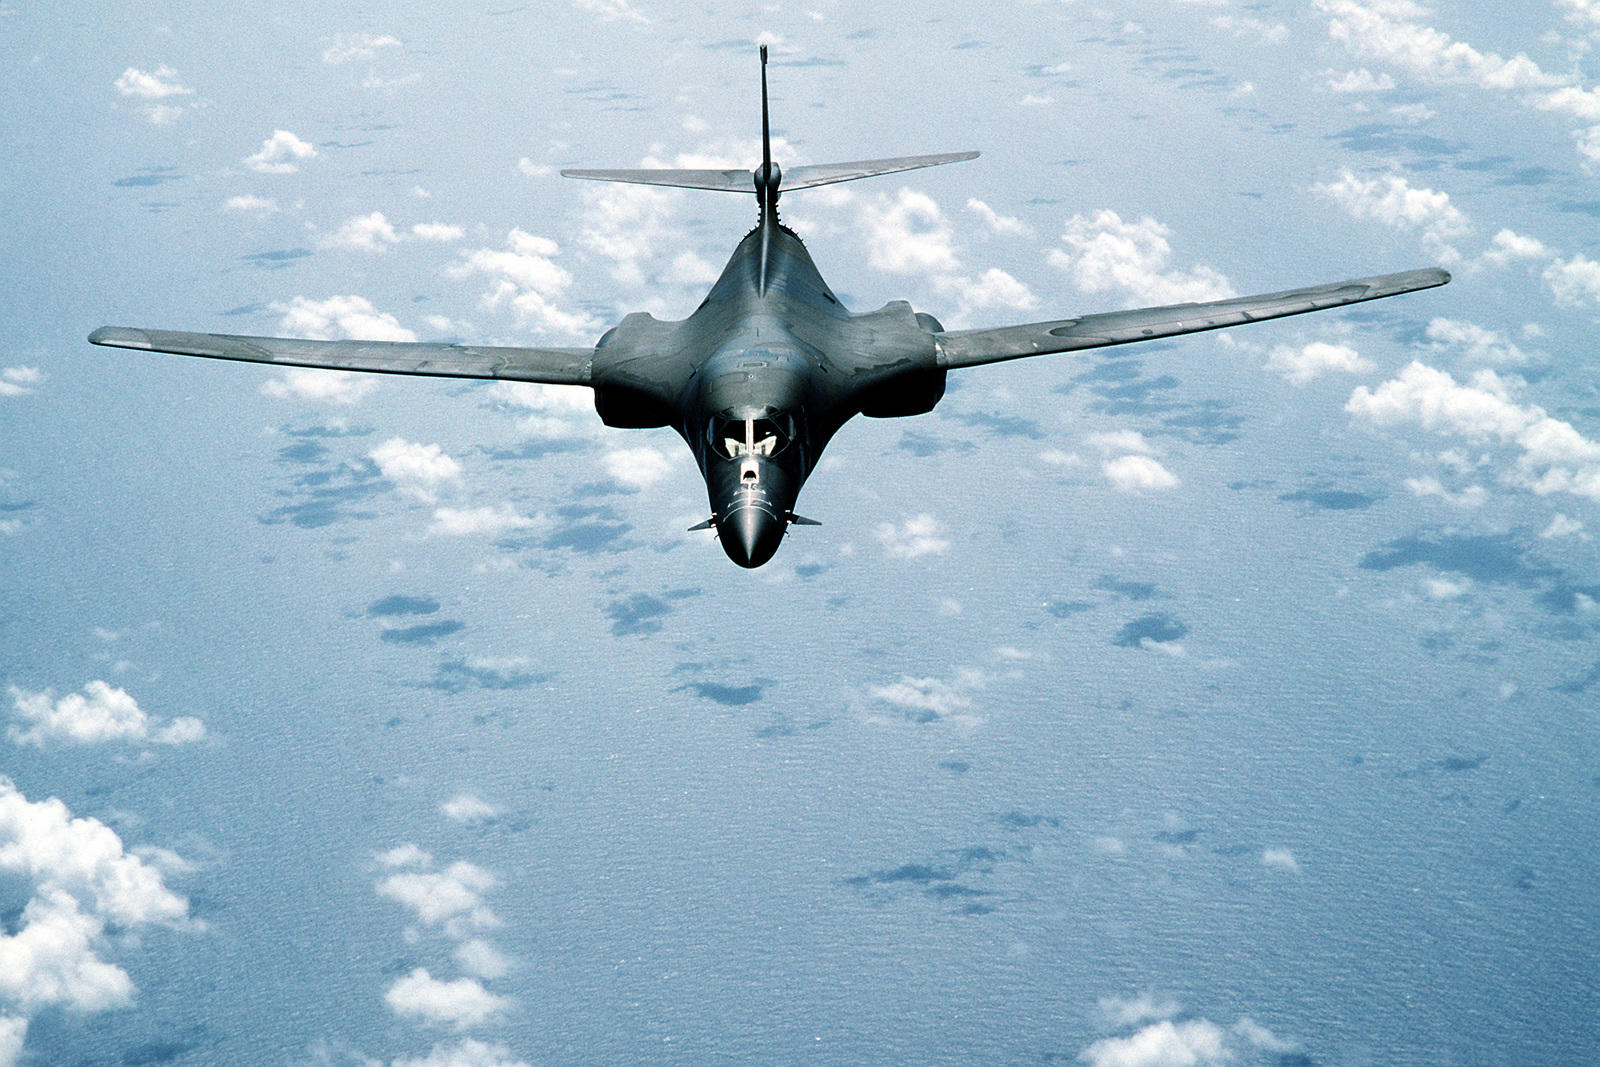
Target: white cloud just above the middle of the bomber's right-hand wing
1106, 255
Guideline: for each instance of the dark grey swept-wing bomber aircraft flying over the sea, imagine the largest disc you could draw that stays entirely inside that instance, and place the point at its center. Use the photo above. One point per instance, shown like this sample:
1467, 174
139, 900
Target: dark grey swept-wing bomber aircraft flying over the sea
772, 364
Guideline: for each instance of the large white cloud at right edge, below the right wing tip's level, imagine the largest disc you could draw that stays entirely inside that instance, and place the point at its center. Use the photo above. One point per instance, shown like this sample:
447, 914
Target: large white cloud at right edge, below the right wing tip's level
1553, 455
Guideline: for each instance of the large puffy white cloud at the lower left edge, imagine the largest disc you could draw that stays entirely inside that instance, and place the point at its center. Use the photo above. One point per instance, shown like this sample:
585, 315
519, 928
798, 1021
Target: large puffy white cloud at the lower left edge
79, 881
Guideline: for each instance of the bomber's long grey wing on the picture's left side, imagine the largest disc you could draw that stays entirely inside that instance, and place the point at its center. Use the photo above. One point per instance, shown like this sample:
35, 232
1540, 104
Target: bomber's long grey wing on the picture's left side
553, 367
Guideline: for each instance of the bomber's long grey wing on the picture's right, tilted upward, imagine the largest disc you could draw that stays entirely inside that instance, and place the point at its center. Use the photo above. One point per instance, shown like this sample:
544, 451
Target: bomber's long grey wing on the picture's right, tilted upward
974, 348
